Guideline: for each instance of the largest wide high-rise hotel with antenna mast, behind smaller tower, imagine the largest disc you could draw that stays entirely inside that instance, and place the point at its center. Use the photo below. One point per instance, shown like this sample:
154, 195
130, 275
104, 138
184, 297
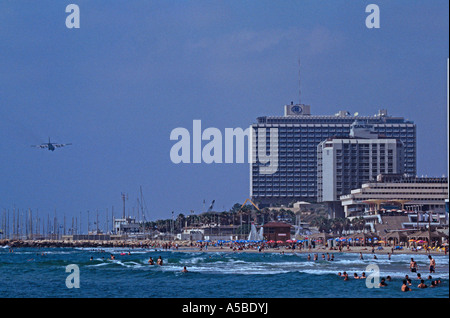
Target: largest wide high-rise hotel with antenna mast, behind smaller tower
299, 133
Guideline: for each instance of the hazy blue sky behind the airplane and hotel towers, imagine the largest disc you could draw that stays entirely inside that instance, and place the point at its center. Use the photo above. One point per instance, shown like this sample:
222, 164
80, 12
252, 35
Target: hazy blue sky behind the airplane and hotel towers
135, 70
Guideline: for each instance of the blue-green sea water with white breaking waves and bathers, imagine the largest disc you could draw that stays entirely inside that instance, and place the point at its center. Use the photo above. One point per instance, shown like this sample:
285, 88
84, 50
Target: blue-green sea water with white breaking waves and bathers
33, 273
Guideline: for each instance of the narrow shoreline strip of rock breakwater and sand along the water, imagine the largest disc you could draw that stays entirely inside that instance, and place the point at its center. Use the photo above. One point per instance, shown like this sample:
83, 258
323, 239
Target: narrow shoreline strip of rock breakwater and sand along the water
185, 246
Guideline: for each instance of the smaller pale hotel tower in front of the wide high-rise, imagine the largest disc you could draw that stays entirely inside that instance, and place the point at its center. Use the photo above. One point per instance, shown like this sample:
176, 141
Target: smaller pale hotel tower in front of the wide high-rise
345, 163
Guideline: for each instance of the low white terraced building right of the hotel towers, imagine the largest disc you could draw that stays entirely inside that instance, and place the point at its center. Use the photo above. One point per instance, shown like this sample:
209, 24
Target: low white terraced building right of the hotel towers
392, 193
